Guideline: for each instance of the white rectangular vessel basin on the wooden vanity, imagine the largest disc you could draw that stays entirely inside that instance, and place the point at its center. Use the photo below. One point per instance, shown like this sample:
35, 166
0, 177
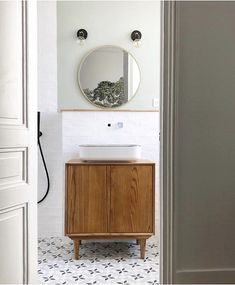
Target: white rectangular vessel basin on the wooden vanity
124, 152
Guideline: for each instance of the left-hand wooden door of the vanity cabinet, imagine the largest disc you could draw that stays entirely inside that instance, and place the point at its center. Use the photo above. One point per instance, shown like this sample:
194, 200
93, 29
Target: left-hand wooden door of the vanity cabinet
87, 199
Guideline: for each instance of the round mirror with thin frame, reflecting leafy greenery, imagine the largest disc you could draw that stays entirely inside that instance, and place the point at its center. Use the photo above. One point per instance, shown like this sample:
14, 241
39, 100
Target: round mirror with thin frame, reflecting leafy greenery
109, 76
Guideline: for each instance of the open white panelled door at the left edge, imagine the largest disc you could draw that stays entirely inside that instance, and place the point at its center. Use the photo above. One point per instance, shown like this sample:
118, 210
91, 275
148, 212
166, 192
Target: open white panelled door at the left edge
18, 161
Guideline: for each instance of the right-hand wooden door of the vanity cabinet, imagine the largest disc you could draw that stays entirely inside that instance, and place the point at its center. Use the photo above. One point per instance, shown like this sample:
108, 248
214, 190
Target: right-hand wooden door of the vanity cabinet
132, 197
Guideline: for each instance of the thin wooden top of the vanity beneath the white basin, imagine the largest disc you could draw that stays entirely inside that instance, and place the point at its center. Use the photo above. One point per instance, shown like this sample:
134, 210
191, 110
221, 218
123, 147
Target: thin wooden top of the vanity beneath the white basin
109, 162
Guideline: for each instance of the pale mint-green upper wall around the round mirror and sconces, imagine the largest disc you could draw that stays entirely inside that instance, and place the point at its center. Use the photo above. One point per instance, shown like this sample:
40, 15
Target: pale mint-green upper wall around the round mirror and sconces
108, 23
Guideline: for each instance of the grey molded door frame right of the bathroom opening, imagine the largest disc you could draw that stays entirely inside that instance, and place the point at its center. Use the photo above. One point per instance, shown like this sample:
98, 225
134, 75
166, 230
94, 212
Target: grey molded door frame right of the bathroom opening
167, 139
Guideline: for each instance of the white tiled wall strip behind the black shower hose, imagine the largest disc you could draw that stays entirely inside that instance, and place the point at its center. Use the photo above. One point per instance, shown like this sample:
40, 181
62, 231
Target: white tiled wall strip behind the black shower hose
50, 214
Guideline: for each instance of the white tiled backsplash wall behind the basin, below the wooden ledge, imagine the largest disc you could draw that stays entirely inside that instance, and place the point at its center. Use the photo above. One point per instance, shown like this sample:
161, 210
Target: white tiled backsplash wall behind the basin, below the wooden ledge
91, 128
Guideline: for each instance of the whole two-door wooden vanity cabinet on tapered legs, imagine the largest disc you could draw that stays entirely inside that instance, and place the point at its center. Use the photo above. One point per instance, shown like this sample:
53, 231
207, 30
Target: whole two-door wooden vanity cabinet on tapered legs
109, 200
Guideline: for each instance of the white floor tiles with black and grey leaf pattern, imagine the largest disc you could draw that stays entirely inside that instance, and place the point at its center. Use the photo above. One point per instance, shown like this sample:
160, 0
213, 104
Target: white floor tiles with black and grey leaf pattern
100, 263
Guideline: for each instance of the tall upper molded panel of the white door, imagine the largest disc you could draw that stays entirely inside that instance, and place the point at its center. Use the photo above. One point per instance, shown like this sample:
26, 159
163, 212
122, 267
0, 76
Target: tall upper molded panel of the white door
13, 112
